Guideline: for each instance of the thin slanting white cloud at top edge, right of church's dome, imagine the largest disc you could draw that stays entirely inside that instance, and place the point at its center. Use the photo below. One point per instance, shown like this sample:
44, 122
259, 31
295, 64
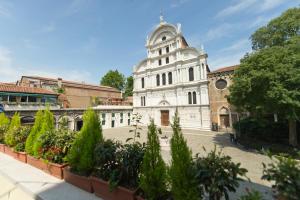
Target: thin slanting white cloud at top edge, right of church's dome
236, 8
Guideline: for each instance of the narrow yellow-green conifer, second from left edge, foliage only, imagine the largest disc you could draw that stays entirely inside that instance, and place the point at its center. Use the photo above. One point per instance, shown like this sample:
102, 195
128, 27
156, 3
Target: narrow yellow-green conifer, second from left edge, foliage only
15, 124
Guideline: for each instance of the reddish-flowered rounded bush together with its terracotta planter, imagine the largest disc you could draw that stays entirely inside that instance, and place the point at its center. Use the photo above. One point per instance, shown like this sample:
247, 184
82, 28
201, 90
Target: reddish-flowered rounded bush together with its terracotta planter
54, 147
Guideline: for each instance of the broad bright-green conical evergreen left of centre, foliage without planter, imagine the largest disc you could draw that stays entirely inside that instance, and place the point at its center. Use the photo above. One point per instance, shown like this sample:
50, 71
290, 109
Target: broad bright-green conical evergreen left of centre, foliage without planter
81, 155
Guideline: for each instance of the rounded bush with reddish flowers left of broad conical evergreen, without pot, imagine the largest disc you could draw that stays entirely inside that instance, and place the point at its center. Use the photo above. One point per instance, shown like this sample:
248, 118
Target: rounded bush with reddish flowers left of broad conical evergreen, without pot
55, 145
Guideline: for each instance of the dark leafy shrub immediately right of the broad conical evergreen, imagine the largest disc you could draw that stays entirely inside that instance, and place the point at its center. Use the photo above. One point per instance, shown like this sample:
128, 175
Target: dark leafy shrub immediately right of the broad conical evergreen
107, 162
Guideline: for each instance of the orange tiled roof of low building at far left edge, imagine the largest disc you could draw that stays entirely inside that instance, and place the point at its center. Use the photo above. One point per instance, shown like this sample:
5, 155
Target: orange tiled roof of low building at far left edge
20, 89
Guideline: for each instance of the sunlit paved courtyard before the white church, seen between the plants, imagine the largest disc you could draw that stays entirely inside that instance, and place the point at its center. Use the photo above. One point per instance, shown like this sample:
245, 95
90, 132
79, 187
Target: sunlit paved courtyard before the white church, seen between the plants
196, 140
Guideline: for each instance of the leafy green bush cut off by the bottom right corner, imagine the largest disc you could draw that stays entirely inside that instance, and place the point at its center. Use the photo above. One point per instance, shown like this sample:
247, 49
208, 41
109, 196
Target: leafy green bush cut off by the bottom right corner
285, 172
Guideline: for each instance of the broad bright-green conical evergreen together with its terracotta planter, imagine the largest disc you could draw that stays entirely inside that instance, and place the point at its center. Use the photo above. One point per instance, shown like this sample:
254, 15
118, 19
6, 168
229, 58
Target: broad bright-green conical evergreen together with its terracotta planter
81, 155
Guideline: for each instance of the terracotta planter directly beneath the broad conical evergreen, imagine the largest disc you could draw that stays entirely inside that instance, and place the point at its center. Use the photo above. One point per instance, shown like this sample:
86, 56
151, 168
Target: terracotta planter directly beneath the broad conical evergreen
82, 182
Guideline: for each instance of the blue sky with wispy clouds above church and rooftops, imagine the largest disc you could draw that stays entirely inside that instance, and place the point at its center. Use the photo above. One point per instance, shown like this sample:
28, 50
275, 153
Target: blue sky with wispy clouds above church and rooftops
81, 40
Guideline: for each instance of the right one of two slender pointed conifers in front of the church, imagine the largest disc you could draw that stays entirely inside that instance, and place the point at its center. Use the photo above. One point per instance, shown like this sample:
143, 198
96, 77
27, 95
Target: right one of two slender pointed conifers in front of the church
181, 173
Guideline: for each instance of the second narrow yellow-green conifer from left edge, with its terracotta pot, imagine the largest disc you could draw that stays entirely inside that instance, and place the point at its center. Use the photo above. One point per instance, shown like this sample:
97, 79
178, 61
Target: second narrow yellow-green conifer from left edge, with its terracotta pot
9, 136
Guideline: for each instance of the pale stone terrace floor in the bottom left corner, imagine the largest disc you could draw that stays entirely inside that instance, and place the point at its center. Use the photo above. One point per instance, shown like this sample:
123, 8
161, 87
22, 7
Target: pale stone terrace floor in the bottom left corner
24, 182
